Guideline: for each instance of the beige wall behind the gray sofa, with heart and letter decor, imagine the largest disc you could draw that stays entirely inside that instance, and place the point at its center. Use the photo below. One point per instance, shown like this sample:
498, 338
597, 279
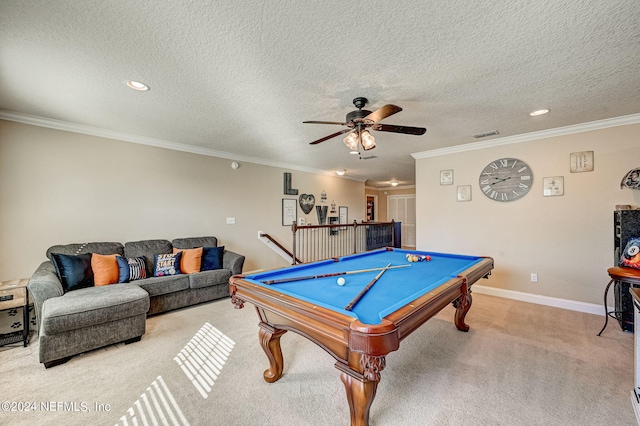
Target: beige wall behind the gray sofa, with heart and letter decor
58, 187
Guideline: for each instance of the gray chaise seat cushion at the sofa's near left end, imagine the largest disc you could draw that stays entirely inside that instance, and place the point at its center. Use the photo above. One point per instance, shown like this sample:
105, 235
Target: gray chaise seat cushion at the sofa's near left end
91, 306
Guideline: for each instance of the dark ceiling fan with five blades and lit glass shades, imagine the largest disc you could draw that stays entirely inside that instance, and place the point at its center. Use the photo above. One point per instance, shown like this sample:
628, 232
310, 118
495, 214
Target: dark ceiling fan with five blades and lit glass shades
359, 121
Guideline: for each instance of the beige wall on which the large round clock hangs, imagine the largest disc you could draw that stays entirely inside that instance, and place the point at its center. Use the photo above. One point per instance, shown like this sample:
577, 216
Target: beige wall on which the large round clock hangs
566, 240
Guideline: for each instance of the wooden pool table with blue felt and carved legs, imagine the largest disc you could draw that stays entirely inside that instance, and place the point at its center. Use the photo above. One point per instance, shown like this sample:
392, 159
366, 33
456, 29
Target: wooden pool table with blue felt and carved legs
302, 299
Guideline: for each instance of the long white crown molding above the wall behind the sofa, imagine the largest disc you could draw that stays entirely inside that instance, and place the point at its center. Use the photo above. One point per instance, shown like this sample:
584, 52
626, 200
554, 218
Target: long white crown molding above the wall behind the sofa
159, 143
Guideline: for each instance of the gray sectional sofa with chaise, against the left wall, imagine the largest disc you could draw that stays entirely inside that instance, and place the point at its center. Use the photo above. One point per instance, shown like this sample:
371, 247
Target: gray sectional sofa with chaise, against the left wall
76, 321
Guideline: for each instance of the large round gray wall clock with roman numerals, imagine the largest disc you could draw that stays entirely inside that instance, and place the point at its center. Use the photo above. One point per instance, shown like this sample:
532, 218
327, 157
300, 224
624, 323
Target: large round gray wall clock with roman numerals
506, 179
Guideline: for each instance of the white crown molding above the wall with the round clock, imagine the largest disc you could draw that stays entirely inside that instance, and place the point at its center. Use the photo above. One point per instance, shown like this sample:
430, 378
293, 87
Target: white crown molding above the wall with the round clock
526, 137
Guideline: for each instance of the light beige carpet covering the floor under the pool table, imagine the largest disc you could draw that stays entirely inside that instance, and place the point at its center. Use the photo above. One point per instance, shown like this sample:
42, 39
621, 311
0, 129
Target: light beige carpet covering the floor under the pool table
520, 364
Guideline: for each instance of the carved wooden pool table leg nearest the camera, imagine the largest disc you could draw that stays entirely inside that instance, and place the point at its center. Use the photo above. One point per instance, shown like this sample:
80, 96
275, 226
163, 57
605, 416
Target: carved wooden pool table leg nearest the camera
361, 389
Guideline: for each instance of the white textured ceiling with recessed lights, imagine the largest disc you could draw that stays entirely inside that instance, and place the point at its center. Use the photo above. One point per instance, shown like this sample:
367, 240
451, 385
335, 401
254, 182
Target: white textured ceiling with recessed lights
238, 77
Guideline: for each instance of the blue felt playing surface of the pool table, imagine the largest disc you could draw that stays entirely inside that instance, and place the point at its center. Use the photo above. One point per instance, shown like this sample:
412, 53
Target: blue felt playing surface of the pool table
395, 288
